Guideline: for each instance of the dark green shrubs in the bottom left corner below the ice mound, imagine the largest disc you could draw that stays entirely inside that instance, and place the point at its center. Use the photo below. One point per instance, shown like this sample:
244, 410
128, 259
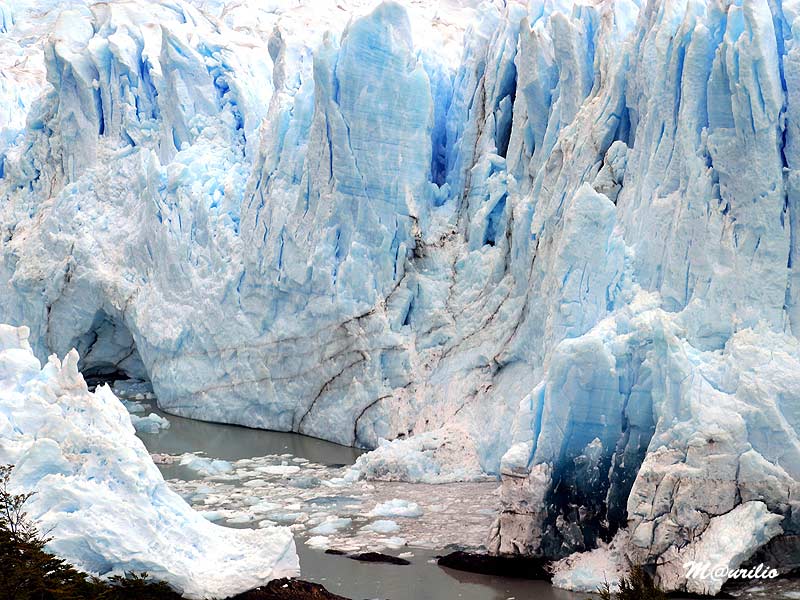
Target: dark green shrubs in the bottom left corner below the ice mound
29, 572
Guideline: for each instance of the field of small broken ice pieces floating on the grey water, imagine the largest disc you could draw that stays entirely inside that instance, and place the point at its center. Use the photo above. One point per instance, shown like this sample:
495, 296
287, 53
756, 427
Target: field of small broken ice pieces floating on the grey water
275, 499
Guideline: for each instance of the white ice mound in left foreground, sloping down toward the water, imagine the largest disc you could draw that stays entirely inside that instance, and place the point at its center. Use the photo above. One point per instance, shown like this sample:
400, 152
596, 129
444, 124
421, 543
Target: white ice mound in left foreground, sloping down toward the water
102, 498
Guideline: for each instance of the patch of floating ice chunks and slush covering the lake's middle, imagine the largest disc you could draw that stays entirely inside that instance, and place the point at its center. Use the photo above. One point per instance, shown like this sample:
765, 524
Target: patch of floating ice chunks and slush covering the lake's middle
252, 493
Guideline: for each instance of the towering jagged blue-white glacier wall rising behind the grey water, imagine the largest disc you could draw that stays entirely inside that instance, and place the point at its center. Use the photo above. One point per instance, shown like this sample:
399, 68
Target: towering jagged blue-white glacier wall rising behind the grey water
553, 241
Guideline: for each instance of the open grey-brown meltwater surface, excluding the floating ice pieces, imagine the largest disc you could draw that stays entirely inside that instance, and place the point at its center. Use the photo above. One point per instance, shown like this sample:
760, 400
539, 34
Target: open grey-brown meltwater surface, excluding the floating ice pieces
420, 580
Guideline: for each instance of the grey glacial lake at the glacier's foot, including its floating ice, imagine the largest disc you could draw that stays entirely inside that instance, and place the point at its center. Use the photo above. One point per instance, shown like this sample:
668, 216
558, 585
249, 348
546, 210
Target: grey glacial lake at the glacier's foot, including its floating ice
283, 476
